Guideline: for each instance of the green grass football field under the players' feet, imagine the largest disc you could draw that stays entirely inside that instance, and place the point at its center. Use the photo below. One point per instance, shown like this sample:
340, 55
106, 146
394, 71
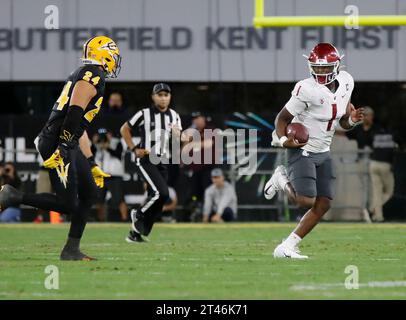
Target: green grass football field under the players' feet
194, 261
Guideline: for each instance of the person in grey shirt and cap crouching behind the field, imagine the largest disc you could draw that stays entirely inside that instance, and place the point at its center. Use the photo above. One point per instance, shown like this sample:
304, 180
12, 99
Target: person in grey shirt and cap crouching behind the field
220, 199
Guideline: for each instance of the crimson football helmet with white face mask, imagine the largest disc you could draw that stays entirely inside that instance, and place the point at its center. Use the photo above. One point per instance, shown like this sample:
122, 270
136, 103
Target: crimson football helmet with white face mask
324, 61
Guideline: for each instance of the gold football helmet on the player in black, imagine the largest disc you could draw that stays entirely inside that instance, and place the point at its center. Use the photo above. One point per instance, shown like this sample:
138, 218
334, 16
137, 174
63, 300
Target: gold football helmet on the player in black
104, 52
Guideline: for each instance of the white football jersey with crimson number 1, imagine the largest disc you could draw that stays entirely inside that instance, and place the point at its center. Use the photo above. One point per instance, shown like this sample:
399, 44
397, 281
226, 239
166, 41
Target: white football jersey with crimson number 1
319, 109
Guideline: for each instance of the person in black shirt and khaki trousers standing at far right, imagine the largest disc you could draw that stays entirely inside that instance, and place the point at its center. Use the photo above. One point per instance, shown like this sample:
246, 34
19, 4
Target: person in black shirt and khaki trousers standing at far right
371, 136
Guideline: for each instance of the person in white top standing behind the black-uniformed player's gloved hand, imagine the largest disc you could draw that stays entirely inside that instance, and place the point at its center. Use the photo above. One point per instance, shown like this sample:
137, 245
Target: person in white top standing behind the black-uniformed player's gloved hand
108, 151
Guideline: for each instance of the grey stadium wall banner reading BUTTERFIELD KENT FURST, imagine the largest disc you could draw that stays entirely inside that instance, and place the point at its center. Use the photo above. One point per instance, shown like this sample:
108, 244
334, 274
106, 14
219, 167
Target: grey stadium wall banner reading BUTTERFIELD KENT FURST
218, 44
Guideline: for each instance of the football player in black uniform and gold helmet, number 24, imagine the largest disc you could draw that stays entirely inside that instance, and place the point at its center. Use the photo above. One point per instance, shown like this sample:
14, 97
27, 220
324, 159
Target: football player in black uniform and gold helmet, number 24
64, 145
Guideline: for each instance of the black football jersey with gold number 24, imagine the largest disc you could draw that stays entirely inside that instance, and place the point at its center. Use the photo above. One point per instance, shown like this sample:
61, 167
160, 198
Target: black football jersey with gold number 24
95, 76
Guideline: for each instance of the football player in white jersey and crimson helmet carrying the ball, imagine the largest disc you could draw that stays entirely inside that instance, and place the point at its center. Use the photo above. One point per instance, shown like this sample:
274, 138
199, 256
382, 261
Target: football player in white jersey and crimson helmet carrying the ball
321, 103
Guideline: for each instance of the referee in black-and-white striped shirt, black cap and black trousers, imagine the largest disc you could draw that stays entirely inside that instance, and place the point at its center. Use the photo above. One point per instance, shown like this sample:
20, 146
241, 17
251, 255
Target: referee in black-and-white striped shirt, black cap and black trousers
155, 125
